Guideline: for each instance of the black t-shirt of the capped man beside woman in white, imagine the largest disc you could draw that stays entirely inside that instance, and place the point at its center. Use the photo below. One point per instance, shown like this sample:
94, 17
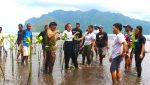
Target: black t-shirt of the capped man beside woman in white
101, 39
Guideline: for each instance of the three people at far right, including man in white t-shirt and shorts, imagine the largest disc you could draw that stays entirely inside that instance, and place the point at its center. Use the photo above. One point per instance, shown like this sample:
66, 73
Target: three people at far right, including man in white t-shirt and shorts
125, 46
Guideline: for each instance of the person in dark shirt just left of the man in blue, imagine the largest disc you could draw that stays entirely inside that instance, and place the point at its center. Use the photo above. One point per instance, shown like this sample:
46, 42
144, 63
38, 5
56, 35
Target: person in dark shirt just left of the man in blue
19, 41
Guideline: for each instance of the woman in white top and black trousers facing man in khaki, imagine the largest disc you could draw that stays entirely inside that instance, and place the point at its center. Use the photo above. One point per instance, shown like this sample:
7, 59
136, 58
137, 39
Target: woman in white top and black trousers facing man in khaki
68, 46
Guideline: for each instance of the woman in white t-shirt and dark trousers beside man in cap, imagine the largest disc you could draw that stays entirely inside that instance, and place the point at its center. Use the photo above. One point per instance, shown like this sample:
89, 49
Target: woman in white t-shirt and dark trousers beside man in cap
88, 46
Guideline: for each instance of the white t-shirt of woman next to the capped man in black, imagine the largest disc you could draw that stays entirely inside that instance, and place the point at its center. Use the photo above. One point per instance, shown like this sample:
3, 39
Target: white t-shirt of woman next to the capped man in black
88, 39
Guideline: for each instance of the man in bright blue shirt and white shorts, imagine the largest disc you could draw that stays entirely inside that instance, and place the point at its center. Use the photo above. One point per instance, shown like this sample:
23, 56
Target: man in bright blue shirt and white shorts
27, 38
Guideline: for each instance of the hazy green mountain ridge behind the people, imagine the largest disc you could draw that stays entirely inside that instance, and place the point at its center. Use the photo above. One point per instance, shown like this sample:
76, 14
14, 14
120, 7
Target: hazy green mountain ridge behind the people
106, 19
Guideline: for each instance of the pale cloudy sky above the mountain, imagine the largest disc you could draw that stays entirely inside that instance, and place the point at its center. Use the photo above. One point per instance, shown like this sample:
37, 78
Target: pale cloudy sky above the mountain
14, 12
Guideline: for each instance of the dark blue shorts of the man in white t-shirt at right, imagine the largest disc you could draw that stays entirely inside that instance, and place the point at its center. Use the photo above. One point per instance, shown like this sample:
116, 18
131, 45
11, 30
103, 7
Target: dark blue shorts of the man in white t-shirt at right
115, 64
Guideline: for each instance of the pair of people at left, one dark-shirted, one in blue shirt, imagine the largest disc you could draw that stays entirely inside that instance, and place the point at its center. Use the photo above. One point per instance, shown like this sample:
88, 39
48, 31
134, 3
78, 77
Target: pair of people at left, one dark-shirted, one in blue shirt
23, 44
